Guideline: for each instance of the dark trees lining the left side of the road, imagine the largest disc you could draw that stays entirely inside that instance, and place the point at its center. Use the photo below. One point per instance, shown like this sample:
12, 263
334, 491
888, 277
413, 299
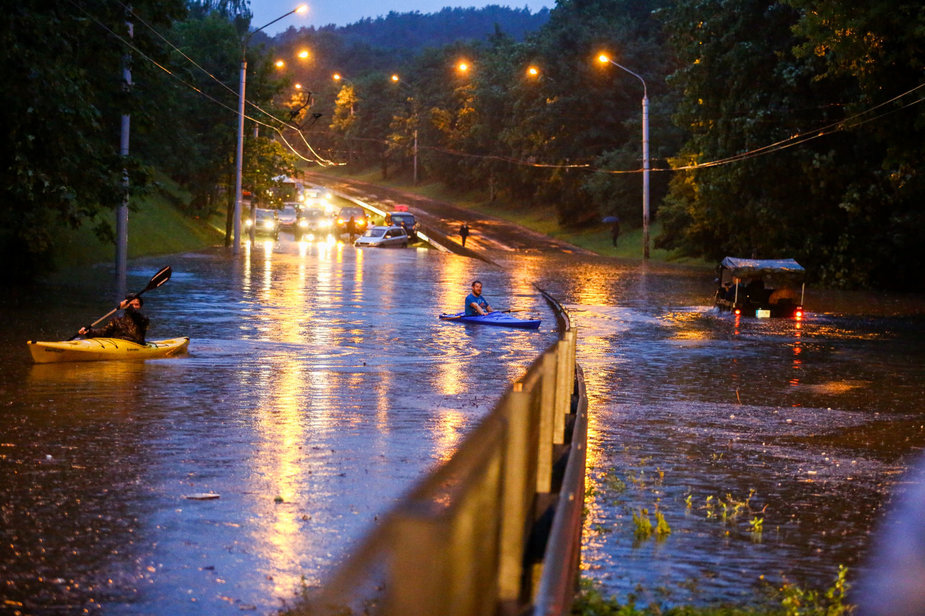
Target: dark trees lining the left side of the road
64, 96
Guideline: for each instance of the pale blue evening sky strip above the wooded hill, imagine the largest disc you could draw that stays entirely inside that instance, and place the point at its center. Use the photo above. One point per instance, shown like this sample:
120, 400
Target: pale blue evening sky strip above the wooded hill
343, 12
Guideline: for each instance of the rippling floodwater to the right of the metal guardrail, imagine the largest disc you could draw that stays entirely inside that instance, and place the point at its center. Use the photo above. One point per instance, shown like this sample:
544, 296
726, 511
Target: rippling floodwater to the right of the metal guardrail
691, 410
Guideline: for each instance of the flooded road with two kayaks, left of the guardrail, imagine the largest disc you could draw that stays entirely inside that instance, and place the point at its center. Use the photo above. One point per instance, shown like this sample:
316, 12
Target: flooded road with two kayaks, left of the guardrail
318, 387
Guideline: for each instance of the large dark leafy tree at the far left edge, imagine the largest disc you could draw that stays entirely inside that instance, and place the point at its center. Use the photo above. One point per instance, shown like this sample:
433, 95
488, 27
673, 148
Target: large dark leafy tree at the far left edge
60, 111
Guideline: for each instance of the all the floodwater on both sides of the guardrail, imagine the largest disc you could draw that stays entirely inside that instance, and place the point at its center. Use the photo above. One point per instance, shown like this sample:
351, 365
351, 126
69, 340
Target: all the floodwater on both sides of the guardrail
320, 386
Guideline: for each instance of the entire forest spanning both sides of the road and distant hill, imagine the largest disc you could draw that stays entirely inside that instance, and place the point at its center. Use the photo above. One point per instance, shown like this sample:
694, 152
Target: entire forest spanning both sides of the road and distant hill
776, 129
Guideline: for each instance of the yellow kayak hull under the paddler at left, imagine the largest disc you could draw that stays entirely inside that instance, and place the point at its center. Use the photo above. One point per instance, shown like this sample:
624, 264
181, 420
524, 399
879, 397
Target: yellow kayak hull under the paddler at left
97, 349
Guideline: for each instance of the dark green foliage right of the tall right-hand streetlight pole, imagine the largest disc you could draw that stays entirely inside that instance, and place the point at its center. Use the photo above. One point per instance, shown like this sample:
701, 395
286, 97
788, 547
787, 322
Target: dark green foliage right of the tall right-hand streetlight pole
754, 74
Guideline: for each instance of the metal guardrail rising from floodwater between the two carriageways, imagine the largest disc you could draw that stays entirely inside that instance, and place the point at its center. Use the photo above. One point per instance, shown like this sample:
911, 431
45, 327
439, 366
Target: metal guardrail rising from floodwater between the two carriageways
497, 528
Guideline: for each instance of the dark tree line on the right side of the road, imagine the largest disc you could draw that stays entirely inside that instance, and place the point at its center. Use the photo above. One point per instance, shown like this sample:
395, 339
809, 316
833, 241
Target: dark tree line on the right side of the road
837, 87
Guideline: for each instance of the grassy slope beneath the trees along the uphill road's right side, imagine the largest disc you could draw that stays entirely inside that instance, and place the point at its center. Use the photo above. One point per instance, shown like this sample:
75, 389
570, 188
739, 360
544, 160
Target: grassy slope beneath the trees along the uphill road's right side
542, 219
